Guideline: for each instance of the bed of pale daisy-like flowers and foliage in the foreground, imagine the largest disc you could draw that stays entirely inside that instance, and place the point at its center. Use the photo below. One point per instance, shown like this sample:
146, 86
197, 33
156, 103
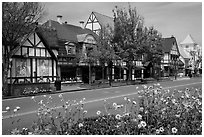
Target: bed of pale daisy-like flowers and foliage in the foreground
154, 112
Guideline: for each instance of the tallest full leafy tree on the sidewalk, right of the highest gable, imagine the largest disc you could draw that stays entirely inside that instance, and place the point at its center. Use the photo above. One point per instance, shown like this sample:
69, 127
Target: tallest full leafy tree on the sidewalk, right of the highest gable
128, 35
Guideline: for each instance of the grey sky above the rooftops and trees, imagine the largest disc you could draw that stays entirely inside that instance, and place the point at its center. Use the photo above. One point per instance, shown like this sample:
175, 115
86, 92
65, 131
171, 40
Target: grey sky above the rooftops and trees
169, 18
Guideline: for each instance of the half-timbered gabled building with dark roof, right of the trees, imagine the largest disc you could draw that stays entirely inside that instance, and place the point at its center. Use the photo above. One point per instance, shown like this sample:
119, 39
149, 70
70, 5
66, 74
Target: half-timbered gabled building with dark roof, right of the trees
170, 62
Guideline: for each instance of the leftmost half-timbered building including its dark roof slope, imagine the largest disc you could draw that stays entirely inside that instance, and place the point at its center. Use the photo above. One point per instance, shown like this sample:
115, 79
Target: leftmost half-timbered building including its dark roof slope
33, 62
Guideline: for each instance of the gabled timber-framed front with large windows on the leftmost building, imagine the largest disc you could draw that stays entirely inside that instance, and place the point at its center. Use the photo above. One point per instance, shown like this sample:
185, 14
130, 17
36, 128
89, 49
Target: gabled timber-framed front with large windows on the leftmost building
33, 62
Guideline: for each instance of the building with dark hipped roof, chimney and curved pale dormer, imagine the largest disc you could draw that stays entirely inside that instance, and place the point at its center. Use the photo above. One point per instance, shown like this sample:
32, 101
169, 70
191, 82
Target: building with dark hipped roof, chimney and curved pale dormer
74, 44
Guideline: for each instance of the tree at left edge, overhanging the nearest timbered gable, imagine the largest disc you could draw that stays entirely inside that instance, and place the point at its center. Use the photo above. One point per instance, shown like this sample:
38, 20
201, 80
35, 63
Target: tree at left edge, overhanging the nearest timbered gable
18, 20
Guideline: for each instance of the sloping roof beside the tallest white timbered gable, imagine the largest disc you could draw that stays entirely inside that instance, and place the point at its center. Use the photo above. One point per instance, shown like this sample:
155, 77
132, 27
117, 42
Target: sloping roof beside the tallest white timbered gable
104, 20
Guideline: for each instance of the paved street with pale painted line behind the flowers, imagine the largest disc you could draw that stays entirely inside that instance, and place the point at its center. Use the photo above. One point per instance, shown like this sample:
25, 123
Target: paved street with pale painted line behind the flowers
94, 101
